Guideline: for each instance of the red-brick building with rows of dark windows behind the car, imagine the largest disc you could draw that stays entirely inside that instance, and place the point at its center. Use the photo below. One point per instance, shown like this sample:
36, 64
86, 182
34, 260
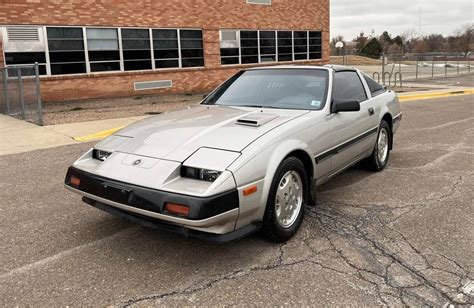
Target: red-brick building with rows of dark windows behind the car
106, 48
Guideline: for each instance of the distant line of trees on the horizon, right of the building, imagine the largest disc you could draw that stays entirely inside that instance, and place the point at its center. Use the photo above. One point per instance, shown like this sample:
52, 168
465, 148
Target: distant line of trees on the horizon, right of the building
462, 41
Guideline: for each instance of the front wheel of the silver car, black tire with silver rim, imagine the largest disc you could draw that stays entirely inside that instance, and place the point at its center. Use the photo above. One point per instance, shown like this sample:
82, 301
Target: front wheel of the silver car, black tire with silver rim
284, 211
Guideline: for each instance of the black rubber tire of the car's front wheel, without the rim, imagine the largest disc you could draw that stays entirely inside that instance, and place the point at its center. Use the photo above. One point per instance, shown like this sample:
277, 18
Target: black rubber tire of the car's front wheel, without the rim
271, 228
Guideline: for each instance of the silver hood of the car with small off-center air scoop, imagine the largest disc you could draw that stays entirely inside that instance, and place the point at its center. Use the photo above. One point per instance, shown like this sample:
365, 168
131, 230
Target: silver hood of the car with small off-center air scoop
178, 134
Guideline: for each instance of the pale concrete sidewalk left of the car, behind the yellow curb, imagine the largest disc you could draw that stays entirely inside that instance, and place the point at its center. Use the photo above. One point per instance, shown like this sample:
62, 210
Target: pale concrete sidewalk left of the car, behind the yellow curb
18, 136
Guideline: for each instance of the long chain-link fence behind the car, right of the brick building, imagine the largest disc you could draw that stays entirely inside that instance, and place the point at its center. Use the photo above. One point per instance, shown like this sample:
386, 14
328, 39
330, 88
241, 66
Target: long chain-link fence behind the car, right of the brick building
394, 69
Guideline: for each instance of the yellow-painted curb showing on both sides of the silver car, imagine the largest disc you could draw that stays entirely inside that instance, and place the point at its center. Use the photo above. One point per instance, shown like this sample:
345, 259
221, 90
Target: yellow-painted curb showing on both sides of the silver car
402, 98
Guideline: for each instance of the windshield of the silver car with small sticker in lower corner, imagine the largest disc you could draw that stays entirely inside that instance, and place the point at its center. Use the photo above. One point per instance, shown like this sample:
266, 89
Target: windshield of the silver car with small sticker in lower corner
274, 88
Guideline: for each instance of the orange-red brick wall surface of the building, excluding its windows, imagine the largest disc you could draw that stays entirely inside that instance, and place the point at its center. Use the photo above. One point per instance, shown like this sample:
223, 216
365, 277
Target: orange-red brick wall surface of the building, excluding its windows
209, 15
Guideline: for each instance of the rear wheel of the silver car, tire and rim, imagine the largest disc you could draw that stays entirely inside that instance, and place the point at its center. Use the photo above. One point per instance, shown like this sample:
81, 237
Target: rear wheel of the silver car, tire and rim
379, 160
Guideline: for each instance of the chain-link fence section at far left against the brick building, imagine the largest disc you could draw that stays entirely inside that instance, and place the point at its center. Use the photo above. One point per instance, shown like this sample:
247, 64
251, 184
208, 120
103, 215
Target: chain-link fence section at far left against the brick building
20, 95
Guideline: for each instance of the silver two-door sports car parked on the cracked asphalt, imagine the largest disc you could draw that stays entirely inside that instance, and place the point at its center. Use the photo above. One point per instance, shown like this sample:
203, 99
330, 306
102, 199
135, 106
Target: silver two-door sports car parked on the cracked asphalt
247, 158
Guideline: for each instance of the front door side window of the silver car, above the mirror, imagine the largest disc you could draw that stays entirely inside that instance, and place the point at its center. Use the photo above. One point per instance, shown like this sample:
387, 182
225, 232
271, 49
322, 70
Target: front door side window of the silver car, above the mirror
348, 86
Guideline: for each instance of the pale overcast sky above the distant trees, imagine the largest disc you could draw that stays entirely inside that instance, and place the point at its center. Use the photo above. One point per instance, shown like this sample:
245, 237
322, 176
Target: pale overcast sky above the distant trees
349, 17
